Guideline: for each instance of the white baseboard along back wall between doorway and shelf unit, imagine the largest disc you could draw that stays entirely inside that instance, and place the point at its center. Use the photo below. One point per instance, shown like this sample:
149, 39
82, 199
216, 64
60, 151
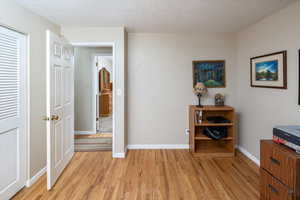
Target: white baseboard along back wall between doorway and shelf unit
157, 146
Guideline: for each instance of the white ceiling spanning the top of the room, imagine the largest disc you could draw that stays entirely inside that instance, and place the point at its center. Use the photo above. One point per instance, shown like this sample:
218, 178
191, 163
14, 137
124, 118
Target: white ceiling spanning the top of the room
157, 16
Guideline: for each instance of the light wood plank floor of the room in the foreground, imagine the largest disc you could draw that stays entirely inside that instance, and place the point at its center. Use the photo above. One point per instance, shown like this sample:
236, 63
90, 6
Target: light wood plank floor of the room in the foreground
151, 174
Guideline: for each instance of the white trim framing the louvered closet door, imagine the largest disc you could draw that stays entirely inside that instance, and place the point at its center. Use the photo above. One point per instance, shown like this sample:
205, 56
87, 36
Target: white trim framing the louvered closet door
26, 97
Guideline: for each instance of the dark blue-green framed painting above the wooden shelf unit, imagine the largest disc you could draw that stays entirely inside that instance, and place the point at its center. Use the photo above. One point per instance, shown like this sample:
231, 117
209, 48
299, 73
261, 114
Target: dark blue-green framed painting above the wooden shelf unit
211, 73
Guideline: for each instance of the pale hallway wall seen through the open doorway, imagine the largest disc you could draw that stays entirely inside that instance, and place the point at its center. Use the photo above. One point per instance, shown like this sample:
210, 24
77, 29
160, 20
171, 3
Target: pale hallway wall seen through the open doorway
84, 86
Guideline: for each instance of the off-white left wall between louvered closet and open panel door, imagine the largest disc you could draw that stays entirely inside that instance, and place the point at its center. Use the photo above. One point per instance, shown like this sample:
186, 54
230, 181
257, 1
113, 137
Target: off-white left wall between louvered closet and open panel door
13, 15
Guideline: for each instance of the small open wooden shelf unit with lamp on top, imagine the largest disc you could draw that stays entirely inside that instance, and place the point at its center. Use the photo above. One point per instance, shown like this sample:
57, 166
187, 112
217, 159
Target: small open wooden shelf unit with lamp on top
200, 144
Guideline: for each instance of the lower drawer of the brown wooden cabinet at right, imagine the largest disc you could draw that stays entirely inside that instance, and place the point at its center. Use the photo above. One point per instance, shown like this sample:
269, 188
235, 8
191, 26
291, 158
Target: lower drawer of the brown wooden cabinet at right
272, 189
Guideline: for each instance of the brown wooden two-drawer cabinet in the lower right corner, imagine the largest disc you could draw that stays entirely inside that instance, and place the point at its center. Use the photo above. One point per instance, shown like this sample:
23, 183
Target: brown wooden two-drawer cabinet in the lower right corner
279, 172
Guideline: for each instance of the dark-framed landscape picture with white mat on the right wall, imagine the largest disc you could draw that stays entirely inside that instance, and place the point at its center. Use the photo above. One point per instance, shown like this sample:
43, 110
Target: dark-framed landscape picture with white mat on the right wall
269, 71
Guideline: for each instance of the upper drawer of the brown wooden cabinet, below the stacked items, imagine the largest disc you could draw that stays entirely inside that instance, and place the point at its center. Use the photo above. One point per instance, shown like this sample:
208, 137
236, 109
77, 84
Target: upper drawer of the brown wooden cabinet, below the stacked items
277, 161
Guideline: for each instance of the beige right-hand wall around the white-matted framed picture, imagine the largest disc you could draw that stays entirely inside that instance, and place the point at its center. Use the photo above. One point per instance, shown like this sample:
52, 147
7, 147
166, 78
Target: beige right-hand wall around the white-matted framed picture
260, 109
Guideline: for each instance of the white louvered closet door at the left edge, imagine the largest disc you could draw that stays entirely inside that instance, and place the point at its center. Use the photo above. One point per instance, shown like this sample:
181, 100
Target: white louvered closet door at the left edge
12, 113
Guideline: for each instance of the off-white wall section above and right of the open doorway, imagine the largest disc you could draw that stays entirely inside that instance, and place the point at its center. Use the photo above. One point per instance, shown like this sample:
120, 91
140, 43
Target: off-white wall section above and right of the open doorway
117, 36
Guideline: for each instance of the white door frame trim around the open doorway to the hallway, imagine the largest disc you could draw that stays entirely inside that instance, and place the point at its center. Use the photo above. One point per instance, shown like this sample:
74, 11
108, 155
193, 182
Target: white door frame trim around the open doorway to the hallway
106, 44
